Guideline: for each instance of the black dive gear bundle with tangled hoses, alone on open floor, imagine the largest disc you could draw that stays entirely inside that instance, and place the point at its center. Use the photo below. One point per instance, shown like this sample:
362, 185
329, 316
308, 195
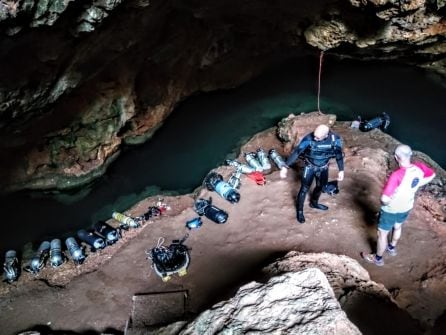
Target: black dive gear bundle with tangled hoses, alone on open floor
170, 260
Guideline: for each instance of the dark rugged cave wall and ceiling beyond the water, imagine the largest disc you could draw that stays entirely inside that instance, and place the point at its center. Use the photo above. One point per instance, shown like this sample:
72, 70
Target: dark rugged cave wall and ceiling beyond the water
80, 78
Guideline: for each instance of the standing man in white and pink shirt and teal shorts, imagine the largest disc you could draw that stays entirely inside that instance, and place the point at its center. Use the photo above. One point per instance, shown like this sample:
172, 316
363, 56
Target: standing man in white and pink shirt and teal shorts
397, 201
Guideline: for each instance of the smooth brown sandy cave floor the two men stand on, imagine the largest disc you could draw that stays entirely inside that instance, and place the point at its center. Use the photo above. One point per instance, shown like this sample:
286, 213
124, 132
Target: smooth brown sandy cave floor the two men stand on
261, 227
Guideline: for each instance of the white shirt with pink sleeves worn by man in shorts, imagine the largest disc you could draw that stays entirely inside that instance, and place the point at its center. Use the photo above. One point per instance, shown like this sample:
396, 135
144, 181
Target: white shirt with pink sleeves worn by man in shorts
402, 186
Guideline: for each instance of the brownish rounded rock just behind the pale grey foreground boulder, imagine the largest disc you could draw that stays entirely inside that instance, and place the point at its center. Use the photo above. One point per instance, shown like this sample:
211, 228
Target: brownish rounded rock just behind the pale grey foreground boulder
359, 296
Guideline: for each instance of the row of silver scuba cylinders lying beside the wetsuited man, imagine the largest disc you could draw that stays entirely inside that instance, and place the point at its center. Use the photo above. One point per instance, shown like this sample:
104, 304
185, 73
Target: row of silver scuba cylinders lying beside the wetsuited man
258, 161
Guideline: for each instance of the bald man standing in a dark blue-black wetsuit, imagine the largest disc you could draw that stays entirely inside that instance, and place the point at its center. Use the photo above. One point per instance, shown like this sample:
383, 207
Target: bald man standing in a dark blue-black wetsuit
316, 148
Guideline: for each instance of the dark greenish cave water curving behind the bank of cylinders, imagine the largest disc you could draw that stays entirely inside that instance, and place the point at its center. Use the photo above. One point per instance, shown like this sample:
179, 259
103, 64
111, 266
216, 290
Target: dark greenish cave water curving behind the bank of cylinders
206, 129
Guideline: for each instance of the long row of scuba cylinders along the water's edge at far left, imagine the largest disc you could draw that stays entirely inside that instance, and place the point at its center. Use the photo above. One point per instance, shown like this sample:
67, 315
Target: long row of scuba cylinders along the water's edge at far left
102, 235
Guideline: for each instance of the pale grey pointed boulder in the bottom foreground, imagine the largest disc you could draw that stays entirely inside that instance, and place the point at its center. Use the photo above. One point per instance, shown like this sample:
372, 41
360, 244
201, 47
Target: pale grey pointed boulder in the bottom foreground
293, 303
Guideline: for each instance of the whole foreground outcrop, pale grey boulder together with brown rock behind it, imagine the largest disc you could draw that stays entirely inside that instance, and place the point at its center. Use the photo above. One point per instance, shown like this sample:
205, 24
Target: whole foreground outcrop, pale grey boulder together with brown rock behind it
300, 297
